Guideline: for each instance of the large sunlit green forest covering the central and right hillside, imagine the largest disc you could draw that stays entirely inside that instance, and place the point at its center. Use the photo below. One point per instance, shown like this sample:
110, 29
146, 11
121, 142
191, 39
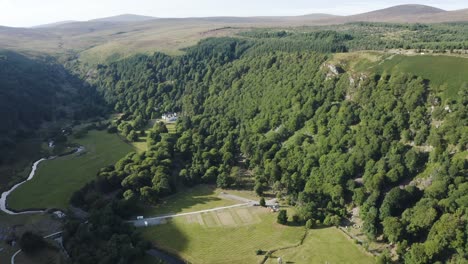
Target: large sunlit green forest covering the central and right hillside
323, 139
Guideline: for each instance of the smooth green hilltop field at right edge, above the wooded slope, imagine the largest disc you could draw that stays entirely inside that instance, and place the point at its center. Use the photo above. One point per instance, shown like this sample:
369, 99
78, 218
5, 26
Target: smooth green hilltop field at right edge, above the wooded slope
447, 74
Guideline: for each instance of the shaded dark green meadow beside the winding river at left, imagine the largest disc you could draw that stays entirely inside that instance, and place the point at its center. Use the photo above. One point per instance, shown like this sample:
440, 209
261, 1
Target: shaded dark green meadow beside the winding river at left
57, 179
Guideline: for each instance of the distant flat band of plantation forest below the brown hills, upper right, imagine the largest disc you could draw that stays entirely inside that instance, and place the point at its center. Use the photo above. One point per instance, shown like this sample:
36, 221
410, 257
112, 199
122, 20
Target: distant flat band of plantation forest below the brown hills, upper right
438, 38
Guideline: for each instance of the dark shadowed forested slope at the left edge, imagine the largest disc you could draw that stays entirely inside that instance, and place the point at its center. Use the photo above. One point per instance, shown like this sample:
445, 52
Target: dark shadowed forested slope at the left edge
34, 91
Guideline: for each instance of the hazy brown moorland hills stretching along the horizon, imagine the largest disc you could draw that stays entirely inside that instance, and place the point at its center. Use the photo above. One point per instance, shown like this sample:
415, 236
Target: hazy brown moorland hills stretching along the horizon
120, 36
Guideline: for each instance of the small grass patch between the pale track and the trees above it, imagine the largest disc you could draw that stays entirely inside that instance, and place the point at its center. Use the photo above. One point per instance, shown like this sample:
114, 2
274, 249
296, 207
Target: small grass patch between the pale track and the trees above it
198, 198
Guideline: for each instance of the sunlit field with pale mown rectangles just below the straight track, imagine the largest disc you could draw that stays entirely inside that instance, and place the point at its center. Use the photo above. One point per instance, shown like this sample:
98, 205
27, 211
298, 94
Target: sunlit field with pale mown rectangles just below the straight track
229, 236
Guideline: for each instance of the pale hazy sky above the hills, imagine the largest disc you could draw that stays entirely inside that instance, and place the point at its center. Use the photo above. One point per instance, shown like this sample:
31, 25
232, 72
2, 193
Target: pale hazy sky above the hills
22, 13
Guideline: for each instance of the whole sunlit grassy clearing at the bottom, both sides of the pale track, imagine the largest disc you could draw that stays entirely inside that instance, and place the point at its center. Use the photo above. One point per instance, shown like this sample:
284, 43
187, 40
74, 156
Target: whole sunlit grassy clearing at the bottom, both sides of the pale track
233, 235
